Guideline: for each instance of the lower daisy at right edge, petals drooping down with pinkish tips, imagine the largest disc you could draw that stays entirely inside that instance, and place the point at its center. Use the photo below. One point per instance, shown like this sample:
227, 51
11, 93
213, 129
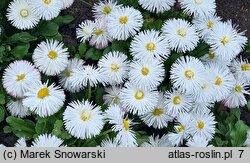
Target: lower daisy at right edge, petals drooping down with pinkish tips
236, 98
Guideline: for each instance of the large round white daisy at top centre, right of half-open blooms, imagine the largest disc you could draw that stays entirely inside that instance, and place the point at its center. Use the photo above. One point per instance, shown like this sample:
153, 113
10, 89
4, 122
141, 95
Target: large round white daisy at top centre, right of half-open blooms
124, 22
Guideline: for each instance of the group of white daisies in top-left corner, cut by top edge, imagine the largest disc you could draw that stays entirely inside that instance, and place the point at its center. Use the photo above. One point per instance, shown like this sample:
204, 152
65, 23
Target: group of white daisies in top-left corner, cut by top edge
26, 14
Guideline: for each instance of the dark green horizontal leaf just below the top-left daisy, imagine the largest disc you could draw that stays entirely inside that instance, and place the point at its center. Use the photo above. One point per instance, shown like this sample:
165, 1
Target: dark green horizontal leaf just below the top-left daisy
24, 37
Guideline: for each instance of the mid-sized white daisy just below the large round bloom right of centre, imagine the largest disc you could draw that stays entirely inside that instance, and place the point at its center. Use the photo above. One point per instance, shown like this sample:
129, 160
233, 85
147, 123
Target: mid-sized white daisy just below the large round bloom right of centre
177, 102
